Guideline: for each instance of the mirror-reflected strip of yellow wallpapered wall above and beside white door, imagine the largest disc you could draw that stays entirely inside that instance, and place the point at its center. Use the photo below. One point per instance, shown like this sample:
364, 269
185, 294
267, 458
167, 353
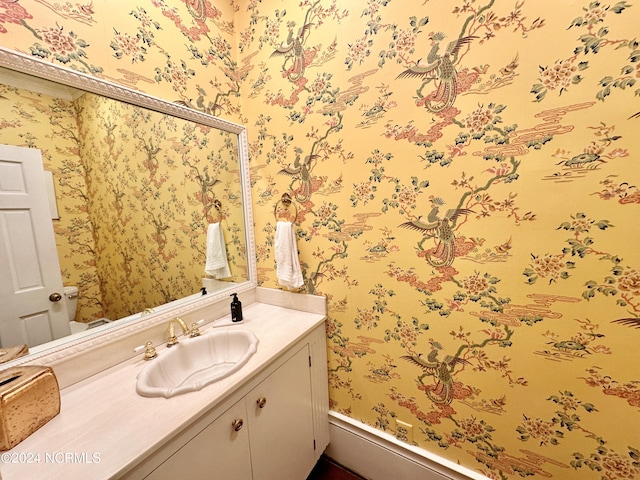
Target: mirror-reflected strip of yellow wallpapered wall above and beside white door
33, 120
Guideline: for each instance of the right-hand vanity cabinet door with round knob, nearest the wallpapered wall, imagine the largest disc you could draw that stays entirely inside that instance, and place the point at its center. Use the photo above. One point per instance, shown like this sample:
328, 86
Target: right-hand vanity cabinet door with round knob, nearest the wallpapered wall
281, 423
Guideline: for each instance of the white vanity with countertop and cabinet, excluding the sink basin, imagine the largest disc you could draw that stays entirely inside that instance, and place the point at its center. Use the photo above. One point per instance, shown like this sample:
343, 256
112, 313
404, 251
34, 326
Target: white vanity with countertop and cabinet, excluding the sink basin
106, 431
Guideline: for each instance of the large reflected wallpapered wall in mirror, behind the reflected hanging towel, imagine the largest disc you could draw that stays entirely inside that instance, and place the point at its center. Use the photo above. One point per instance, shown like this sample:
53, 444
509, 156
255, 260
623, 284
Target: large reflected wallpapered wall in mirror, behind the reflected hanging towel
152, 181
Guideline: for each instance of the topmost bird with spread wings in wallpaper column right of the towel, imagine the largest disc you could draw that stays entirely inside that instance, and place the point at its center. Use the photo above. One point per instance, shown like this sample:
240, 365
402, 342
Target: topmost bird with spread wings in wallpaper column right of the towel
440, 68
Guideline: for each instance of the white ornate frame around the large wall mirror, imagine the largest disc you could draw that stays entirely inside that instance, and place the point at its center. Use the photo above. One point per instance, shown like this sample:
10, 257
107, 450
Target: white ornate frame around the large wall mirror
38, 68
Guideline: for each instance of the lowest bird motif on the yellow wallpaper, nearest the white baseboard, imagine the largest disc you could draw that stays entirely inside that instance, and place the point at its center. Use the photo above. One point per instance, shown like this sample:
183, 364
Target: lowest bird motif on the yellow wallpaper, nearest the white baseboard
442, 372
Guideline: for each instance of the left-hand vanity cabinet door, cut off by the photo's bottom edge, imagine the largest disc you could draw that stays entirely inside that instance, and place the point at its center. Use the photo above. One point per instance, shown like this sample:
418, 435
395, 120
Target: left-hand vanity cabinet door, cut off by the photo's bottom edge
219, 452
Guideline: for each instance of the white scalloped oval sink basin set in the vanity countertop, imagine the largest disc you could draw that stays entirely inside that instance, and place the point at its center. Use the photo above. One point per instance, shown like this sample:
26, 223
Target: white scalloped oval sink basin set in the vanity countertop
196, 362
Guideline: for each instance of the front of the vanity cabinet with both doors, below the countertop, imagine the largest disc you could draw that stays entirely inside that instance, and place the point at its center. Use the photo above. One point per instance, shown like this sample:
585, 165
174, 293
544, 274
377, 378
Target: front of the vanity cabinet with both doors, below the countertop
267, 435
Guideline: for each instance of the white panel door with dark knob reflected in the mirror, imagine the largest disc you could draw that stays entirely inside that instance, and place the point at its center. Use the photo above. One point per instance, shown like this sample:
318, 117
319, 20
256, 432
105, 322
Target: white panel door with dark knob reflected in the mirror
30, 279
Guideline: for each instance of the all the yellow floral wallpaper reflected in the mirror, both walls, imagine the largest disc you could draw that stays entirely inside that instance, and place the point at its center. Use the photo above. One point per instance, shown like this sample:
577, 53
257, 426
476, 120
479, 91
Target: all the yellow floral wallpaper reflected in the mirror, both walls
132, 226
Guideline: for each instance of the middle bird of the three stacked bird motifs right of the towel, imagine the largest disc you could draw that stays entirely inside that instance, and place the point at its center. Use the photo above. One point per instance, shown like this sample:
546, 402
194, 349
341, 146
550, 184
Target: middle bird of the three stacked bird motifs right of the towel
441, 229
